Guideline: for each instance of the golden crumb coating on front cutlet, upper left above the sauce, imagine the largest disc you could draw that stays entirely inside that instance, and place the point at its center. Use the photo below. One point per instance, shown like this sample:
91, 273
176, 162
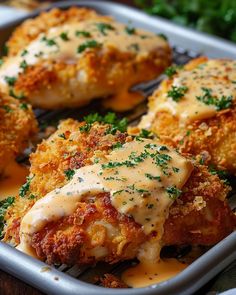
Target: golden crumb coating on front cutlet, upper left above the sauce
67, 149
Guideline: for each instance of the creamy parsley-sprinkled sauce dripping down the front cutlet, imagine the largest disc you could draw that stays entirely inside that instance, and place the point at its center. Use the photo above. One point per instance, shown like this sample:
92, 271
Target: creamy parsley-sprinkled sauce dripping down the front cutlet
142, 178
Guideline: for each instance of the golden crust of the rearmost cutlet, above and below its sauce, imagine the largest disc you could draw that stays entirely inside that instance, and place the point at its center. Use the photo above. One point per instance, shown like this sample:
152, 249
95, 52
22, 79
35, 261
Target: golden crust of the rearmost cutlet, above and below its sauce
106, 73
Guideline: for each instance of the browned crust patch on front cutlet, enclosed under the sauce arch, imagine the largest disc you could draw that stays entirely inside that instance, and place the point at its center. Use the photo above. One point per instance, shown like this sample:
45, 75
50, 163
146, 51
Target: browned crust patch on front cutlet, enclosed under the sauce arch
96, 231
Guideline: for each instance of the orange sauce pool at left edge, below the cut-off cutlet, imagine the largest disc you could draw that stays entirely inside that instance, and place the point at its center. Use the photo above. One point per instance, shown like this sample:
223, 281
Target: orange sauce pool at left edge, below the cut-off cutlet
14, 177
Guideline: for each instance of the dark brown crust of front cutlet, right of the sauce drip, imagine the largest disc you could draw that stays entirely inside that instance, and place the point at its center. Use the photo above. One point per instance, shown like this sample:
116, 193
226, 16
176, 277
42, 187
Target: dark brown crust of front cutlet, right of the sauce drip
201, 216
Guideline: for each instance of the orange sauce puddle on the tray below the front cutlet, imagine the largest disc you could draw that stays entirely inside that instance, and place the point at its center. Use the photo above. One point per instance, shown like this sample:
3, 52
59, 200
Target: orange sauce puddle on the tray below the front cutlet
145, 274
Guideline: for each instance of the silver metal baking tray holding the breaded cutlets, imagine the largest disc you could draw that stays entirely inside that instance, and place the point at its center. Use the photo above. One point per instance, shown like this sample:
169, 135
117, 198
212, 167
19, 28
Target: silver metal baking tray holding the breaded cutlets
61, 280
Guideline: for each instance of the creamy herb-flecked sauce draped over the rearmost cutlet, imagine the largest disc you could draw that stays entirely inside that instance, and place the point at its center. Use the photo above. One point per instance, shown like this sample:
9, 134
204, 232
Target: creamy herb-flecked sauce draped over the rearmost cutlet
54, 47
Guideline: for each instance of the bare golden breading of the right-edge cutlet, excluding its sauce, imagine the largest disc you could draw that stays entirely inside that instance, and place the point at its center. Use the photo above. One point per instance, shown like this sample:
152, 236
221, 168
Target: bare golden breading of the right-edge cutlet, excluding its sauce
214, 139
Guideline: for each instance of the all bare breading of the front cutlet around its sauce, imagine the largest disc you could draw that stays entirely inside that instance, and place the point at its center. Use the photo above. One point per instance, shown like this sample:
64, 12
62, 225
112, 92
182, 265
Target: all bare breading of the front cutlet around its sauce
96, 230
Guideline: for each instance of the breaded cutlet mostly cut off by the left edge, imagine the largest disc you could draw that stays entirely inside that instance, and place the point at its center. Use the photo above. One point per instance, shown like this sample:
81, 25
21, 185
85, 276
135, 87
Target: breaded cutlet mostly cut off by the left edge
17, 125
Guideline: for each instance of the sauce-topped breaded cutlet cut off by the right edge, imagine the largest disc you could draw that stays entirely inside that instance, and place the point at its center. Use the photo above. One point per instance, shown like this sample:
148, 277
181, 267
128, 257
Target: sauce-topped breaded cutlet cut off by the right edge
194, 110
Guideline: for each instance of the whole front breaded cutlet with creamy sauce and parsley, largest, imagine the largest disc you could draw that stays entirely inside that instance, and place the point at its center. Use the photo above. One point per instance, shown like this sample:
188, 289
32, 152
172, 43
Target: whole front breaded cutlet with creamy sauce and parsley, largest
96, 194
